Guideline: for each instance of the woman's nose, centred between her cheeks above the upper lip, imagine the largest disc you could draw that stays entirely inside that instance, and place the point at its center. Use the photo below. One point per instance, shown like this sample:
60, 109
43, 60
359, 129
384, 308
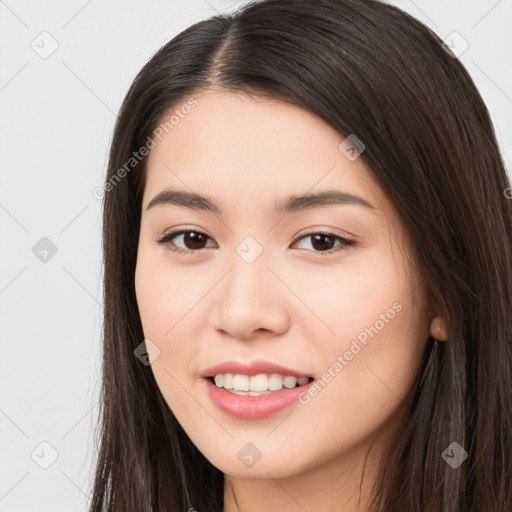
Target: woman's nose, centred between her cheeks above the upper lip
251, 301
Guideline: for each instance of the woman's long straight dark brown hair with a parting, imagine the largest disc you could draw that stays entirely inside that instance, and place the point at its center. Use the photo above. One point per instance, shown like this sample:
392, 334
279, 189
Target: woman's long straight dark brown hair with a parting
369, 69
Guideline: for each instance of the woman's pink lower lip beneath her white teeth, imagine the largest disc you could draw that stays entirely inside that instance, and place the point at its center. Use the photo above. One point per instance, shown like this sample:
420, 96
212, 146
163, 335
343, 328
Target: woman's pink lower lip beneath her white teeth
253, 407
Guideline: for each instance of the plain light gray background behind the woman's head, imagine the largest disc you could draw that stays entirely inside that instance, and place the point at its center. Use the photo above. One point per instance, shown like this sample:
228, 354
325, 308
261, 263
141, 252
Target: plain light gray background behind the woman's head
57, 117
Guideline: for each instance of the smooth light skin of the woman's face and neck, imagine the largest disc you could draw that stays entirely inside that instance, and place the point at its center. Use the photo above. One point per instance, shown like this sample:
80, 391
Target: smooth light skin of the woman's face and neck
294, 305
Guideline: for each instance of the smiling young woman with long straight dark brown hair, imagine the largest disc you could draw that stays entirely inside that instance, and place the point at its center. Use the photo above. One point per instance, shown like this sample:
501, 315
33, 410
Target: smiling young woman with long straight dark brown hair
308, 273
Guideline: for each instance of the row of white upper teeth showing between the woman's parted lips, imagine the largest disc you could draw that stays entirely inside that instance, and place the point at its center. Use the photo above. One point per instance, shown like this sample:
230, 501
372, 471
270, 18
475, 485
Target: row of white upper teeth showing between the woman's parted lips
256, 385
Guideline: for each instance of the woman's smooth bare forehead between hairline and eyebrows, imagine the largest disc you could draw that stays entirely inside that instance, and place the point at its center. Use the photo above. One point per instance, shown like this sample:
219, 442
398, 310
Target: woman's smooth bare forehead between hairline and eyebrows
233, 147
